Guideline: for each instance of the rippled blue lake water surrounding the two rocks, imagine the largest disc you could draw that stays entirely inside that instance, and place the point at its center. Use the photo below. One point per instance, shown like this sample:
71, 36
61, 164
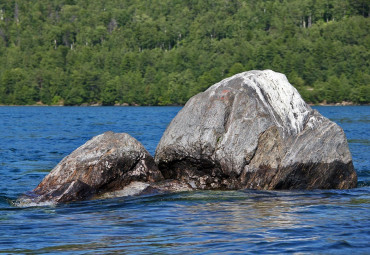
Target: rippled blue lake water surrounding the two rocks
34, 139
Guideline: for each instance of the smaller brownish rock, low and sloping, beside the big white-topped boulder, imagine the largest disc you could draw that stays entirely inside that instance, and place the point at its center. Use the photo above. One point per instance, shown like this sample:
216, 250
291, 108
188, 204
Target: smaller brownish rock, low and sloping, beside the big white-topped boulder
106, 163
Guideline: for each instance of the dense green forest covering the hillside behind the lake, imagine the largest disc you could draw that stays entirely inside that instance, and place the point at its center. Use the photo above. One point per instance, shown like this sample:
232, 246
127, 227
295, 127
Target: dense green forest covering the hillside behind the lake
161, 52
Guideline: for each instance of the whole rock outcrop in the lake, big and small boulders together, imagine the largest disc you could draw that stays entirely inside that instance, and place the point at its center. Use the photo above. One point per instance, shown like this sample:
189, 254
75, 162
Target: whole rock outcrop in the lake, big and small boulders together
252, 130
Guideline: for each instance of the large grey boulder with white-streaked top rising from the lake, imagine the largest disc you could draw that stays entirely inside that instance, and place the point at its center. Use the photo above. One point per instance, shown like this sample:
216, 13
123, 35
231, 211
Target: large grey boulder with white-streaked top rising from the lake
253, 130
